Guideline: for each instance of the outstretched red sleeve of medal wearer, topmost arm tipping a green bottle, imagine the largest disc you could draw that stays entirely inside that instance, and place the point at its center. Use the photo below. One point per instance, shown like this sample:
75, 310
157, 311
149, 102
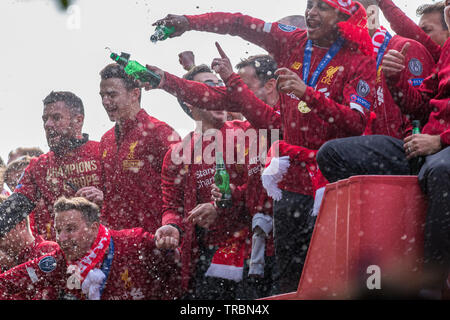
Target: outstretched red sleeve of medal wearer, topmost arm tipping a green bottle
270, 36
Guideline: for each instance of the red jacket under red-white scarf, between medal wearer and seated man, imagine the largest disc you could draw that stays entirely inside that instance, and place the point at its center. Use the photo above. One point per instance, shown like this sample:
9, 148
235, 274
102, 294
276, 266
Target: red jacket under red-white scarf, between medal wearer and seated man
389, 119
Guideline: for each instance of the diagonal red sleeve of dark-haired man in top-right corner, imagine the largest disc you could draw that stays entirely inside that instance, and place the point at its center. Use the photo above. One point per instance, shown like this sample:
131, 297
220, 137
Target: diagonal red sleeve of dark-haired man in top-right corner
405, 27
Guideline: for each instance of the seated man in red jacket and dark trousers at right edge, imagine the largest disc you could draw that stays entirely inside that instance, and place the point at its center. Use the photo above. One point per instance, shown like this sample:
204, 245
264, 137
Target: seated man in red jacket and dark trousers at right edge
342, 158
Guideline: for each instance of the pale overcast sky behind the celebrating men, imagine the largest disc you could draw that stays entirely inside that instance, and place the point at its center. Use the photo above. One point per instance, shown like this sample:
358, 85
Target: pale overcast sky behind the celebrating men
45, 49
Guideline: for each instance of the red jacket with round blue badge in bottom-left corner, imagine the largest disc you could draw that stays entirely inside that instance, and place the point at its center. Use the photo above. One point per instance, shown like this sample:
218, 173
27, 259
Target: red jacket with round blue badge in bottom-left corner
40, 276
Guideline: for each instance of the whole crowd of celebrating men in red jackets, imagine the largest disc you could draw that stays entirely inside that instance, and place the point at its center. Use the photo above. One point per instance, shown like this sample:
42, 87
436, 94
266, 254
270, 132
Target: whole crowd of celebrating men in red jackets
136, 215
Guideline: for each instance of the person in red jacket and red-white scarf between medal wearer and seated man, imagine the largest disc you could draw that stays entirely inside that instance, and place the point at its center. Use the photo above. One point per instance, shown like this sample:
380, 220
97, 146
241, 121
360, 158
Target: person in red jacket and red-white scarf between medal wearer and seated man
389, 118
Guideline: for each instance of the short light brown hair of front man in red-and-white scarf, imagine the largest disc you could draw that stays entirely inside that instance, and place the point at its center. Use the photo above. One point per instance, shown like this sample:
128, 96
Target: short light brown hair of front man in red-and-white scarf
89, 210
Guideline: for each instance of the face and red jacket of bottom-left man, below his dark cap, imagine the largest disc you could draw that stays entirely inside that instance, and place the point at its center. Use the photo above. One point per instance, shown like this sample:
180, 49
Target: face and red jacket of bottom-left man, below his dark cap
39, 267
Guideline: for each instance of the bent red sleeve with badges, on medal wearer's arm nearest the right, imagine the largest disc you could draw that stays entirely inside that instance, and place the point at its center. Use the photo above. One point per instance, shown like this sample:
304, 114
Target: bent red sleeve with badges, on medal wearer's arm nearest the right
352, 113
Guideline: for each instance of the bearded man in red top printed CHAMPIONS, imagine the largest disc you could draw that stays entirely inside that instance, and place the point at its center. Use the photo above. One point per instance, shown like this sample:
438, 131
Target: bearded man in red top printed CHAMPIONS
71, 167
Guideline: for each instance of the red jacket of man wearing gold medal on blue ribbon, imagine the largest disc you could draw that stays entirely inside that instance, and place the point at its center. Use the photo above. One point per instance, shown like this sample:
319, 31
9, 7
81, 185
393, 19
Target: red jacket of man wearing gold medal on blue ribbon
340, 102
